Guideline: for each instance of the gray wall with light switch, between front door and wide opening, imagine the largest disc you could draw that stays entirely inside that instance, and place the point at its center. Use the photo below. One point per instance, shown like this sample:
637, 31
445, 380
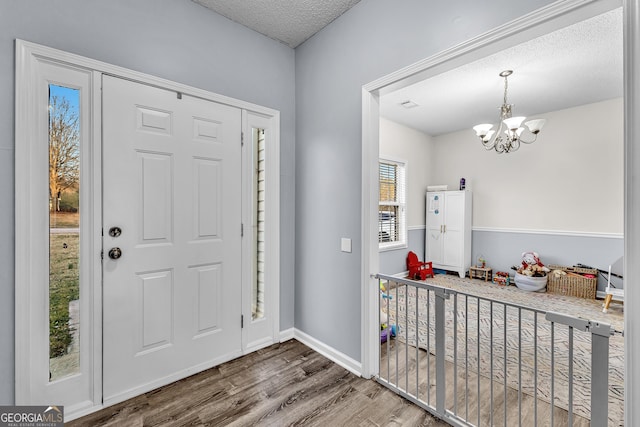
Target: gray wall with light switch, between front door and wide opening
373, 39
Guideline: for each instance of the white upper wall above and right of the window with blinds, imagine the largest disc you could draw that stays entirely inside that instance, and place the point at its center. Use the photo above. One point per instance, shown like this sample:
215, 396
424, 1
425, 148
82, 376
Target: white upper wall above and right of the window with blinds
399, 142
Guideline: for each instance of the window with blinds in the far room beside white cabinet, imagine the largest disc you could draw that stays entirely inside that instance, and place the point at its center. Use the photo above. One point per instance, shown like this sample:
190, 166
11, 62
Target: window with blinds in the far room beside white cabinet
391, 208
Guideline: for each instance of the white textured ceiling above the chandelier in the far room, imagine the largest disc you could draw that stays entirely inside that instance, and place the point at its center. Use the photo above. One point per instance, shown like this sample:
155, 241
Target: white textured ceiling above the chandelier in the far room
576, 65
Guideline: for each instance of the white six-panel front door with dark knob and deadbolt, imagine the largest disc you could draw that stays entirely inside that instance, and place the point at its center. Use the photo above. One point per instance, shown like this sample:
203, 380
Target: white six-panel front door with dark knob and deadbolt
172, 299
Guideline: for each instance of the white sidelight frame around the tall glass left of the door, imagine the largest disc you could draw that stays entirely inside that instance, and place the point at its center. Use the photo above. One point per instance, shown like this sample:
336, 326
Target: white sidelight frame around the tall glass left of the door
33, 76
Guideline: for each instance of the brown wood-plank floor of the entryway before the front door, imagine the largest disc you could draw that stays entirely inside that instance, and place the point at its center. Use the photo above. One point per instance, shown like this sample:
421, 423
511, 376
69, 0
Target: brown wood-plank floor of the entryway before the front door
284, 384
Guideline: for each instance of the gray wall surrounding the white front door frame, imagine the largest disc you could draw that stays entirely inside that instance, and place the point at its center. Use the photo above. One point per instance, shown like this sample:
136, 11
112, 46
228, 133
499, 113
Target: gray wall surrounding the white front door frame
176, 40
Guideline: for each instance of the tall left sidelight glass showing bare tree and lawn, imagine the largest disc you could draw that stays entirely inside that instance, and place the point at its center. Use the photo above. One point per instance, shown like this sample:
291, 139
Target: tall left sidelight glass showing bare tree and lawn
64, 232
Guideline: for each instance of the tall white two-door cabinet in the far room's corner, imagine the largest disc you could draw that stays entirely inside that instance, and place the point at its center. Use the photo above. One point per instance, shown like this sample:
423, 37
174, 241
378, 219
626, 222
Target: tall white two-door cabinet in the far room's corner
448, 234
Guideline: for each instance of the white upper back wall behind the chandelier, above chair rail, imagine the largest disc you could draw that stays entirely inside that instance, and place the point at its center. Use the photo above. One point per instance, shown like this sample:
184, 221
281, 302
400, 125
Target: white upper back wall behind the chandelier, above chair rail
570, 179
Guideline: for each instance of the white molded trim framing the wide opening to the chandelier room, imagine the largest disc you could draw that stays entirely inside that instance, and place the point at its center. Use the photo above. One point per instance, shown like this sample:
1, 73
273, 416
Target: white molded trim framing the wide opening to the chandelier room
556, 15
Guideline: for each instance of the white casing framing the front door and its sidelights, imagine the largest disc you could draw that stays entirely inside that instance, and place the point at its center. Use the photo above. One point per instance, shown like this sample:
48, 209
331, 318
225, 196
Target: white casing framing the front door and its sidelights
28, 235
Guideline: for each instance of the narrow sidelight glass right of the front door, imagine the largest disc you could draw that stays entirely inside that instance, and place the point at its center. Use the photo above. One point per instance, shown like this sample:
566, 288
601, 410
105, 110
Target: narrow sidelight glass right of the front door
257, 300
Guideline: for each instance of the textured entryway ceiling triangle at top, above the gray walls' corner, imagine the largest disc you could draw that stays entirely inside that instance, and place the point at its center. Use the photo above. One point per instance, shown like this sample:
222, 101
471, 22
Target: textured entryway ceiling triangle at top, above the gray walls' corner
288, 21
